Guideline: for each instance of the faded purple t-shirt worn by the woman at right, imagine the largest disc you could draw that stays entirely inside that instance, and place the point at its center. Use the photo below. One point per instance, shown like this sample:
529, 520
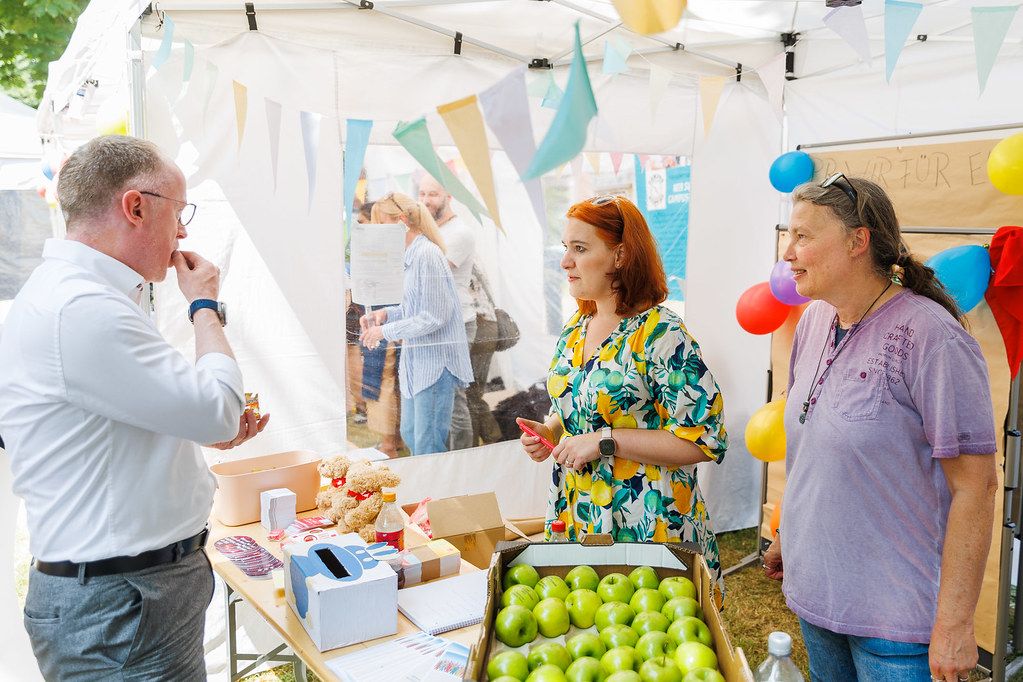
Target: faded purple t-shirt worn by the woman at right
866, 499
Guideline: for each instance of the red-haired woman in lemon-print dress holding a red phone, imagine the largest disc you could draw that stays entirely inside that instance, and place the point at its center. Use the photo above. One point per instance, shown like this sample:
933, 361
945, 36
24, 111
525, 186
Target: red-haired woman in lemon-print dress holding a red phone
635, 408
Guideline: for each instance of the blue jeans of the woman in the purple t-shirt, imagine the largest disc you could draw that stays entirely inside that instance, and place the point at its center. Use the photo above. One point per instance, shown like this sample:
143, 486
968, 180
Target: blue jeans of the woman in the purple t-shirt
836, 658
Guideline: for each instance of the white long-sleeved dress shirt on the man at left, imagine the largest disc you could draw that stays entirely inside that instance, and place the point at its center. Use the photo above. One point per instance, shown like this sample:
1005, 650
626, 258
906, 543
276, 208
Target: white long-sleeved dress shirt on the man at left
102, 416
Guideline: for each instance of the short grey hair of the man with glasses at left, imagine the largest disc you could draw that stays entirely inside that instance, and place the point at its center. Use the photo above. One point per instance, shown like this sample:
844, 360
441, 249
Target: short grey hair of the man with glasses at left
103, 169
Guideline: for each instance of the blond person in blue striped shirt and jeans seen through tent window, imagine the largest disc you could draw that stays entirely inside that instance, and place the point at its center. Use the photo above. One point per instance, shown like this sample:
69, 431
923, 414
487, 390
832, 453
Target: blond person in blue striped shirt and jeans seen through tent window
435, 353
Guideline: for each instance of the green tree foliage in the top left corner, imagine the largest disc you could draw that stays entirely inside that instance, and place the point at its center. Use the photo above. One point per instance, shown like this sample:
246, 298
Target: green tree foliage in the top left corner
33, 33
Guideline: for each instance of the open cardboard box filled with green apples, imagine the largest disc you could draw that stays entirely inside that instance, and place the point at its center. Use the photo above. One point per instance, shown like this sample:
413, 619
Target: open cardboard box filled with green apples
603, 612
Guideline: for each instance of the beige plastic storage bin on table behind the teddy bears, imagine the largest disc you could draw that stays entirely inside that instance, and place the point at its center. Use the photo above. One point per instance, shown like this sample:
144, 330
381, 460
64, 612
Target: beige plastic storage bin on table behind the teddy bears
241, 482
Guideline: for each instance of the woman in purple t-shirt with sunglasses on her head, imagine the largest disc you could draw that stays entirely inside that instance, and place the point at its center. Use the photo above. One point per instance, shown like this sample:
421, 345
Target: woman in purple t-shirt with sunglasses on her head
891, 468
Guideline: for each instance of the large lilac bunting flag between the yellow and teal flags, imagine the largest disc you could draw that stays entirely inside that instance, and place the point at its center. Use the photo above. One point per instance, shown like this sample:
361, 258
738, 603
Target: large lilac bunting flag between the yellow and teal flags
506, 108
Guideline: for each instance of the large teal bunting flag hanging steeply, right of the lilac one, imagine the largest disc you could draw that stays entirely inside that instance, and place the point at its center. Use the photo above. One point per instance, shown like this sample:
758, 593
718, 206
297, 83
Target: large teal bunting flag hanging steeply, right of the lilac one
567, 134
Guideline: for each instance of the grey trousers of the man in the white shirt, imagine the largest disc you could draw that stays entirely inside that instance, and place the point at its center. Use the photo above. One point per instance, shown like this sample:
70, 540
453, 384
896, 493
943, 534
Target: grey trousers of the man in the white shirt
139, 626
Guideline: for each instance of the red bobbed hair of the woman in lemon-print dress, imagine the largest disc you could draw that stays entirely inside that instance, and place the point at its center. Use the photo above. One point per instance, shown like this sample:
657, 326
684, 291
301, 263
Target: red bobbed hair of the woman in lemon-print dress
640, 283
